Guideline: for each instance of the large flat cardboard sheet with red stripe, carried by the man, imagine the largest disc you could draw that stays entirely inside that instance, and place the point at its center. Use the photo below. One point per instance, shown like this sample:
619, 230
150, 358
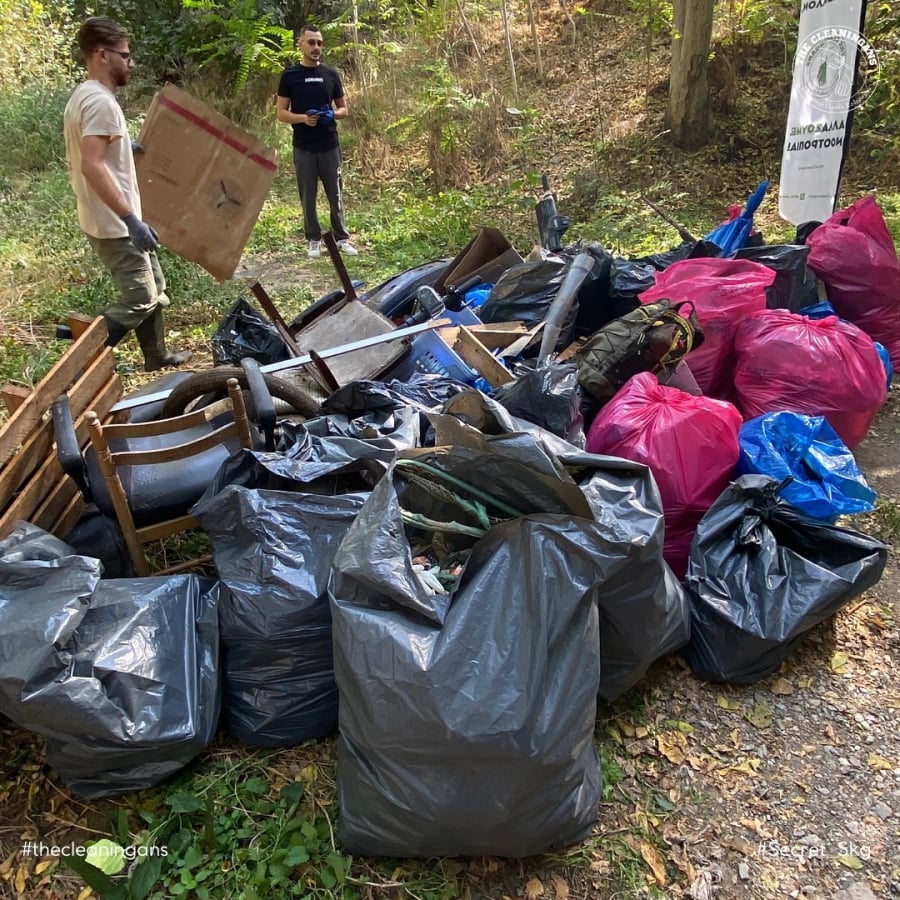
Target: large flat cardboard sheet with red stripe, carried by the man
202, 179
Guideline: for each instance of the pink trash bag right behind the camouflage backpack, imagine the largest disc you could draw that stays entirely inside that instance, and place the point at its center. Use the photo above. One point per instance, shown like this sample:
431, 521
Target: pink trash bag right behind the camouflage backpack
724, 291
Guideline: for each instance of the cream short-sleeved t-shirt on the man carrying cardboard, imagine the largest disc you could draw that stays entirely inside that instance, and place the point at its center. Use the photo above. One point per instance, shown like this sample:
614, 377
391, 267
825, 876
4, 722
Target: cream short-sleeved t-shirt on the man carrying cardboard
92, 110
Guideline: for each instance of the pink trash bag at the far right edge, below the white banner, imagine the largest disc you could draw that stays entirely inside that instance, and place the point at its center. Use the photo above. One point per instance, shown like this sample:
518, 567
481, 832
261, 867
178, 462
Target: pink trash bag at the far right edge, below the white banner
854, 255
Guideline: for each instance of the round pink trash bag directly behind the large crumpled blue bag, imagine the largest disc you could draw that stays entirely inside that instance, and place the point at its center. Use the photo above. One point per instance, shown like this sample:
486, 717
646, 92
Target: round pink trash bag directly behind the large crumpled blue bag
818, 367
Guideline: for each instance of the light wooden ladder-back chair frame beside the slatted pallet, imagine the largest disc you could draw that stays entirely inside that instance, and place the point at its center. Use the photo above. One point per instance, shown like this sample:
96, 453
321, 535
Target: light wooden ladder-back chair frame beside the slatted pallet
104, 437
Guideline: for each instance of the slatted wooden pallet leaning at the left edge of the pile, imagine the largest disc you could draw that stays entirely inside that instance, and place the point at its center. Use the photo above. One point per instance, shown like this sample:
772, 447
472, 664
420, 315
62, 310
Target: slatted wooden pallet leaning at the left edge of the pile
33, 485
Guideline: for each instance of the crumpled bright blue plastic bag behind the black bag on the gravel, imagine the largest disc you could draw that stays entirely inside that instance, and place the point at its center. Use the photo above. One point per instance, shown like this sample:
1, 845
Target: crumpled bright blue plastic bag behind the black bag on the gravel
827, 482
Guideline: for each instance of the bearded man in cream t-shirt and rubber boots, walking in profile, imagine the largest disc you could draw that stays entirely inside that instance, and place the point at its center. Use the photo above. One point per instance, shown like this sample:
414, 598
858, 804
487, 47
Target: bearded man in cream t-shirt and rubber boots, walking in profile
101, 169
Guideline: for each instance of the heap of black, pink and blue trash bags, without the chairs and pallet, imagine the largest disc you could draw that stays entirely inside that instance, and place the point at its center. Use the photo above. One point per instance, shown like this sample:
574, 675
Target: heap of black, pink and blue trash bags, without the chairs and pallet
453, 572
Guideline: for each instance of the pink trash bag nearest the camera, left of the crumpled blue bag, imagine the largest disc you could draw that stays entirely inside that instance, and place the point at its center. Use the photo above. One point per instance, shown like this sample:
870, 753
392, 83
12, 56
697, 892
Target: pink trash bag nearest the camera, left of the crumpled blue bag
689, 443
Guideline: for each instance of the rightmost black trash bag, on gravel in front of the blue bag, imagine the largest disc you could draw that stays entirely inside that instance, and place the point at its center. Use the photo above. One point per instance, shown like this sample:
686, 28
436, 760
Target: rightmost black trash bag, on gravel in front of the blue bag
761, 575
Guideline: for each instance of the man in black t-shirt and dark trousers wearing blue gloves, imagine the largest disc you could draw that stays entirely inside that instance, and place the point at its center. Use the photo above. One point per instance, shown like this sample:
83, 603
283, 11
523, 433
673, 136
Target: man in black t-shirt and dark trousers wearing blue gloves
311, 99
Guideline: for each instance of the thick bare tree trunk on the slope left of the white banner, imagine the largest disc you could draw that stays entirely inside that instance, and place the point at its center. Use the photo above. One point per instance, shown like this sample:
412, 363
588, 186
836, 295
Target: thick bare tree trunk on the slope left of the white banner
688, 116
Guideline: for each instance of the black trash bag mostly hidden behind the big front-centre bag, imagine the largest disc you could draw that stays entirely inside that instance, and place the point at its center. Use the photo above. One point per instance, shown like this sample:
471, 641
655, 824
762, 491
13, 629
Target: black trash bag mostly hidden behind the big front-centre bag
644, 612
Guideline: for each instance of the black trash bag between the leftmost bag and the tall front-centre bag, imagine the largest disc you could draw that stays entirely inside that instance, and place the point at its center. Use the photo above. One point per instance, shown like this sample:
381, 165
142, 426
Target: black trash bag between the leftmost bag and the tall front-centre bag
273, 552
